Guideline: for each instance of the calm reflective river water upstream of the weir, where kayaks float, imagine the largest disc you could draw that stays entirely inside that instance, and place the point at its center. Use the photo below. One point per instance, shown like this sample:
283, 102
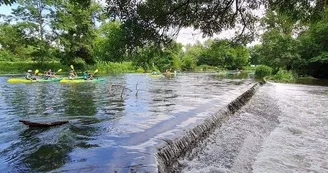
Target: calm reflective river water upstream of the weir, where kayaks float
109, 130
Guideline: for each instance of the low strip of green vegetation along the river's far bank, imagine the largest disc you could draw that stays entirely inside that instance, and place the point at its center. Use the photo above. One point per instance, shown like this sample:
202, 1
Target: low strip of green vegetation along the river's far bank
105, 68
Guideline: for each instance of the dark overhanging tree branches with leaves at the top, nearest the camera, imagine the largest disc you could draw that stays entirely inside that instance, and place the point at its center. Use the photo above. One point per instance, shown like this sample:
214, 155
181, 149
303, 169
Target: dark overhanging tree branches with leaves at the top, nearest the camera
153, 19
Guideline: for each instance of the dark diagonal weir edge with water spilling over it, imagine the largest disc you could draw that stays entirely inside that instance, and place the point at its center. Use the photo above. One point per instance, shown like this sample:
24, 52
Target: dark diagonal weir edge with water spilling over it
170, 152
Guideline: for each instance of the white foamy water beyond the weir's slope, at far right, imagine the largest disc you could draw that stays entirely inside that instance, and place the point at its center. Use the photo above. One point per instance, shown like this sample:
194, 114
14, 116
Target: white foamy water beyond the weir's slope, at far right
300, 141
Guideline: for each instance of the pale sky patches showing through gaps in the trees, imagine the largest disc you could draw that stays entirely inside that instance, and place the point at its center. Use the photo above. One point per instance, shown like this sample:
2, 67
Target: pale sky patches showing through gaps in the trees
185, 36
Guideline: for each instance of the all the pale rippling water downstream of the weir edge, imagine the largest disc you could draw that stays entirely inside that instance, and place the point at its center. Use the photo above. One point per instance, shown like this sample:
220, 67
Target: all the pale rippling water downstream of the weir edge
284, 128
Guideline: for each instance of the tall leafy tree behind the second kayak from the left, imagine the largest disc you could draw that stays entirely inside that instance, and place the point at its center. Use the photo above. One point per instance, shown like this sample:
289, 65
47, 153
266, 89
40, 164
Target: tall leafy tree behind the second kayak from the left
75, 28
